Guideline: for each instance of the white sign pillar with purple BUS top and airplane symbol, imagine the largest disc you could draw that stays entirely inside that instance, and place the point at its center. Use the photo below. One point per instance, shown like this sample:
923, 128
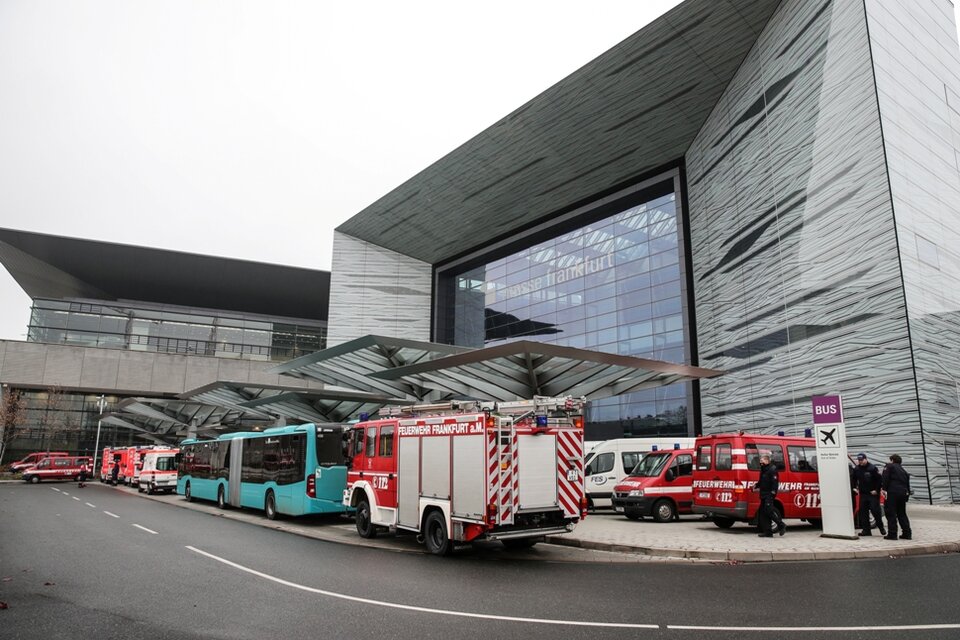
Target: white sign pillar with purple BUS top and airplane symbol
836, 506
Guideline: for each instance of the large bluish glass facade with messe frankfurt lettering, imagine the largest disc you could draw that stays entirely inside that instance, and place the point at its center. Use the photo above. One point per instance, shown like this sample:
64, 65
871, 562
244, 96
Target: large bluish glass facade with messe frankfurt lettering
613, 285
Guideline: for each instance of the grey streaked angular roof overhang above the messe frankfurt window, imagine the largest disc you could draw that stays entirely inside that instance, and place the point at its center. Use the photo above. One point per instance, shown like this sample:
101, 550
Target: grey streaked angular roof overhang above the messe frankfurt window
632, 111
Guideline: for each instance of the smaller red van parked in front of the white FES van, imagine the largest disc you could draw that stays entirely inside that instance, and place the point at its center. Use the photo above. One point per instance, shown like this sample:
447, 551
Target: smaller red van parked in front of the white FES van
661, 485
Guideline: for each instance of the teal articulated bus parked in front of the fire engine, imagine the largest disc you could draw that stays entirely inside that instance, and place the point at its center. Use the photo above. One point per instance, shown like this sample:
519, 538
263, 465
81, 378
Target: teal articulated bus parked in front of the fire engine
292, 470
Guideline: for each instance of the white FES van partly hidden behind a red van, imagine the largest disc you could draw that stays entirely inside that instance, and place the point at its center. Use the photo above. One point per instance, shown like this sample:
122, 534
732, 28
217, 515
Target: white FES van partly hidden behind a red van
611, 460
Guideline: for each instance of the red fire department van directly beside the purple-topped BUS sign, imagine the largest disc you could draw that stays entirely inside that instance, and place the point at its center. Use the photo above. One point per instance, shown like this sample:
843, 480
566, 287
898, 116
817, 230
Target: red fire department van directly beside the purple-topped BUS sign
728, 466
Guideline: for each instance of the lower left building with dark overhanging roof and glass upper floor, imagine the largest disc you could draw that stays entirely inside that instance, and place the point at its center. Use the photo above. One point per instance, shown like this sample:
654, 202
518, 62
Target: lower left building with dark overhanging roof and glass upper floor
119, 334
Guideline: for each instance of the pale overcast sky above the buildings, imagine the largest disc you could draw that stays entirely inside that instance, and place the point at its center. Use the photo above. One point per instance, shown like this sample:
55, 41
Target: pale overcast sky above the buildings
252, 129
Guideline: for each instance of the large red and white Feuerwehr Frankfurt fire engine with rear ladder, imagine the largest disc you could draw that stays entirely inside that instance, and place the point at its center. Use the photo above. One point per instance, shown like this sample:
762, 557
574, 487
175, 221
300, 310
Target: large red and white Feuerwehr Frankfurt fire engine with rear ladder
463, 471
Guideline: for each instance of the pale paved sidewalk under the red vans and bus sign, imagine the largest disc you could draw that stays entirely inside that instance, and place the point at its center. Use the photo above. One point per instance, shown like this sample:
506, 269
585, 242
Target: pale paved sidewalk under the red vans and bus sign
936, 529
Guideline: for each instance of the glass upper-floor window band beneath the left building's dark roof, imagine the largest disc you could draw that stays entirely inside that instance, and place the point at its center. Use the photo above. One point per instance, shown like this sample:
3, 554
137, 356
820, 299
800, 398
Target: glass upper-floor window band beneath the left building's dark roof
172, 330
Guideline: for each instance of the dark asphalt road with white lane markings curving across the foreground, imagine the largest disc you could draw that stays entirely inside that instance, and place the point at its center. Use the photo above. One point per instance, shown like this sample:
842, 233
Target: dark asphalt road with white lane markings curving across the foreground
112, 565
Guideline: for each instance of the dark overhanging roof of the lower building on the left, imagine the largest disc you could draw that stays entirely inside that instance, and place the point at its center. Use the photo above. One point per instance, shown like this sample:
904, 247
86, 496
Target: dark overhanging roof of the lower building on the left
56, 267
